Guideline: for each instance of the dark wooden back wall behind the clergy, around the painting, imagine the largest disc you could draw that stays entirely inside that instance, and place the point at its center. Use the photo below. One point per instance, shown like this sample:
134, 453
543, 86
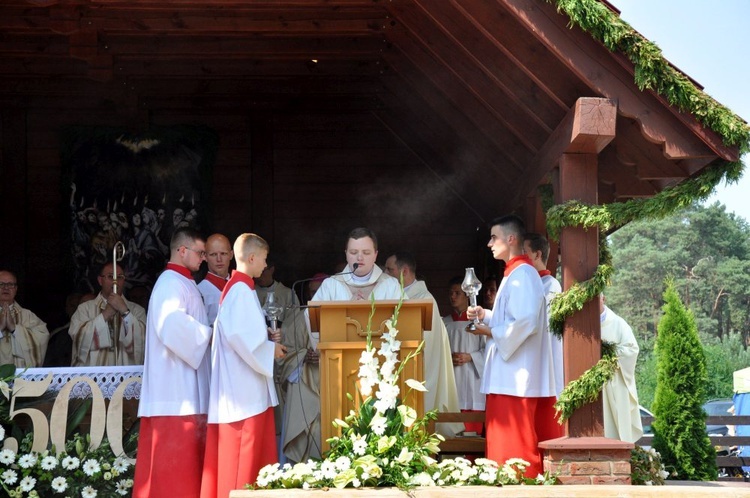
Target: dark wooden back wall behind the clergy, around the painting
300, 179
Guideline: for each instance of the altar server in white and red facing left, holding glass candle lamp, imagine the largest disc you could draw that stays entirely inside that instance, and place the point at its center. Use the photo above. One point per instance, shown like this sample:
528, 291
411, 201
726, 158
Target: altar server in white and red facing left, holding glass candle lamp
519, 373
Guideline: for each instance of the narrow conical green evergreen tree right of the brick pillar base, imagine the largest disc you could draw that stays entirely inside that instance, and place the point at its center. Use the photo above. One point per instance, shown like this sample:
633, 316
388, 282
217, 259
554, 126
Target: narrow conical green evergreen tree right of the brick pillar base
679, 421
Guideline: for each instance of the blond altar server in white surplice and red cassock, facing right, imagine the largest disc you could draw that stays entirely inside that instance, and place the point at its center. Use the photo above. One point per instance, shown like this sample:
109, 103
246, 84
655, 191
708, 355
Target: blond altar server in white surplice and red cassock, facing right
241, 434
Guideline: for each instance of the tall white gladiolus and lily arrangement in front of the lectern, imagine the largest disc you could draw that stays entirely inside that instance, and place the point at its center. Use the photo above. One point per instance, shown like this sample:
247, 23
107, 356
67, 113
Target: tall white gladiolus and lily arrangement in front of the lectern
384, 443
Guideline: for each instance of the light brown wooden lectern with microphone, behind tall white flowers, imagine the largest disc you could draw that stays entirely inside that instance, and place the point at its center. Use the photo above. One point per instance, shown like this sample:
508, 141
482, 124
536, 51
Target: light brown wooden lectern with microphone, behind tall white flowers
343, 337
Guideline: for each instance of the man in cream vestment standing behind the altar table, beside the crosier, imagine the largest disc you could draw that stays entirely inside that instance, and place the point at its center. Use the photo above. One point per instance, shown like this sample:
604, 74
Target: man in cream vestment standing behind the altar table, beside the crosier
109, 330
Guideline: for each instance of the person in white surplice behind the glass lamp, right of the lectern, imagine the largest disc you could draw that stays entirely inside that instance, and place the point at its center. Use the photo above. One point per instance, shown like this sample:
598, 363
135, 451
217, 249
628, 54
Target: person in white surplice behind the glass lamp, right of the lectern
467, 351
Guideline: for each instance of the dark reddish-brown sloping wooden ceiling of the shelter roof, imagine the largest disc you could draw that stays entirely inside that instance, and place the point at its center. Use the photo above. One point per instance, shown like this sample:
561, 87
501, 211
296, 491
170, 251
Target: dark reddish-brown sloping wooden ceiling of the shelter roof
475, 88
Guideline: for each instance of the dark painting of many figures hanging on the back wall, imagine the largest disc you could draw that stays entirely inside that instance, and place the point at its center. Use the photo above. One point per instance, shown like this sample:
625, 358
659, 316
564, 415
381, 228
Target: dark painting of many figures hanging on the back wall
135, 189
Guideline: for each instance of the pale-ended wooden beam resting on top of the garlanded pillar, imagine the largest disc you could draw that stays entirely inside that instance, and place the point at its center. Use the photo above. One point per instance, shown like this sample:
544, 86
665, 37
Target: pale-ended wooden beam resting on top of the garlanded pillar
587, 128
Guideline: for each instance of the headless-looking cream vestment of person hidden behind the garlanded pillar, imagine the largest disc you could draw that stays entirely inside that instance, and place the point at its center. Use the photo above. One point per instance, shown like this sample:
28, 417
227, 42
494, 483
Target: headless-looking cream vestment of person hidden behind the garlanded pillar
622, 416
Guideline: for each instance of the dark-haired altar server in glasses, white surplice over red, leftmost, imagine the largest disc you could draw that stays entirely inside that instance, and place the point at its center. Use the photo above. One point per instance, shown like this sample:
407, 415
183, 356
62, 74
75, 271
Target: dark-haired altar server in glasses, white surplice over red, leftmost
174, 394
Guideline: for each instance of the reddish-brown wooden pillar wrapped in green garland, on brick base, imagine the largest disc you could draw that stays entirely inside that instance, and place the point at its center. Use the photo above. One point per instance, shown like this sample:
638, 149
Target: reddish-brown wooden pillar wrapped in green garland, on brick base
580, 257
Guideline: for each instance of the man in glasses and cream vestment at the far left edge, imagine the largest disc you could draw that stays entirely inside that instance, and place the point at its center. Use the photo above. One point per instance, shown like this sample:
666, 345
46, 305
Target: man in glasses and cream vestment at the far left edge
23, 342
